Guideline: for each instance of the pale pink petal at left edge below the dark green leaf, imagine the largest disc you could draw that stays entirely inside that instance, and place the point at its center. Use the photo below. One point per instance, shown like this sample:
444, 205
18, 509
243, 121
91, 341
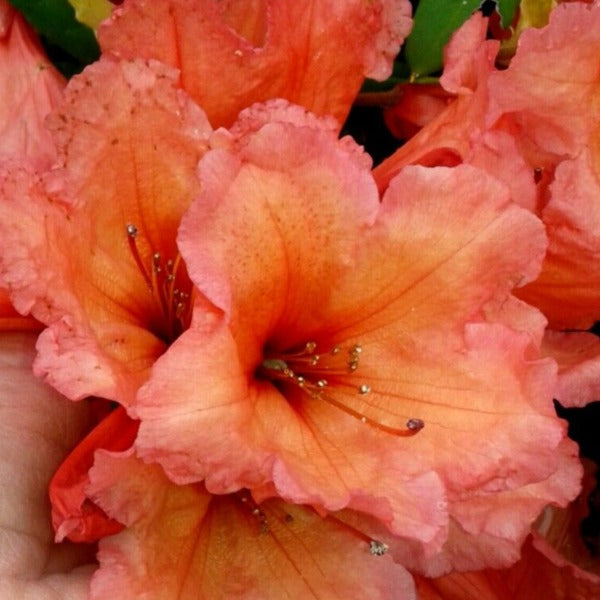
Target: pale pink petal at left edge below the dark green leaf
30, 87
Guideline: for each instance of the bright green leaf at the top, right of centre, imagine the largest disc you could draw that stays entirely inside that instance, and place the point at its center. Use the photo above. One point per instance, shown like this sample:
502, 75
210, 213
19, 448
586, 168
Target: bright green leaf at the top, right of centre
434, 22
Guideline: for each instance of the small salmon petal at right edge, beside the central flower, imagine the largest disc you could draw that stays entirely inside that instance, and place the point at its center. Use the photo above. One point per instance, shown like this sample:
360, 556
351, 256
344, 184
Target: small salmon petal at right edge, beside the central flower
578, 358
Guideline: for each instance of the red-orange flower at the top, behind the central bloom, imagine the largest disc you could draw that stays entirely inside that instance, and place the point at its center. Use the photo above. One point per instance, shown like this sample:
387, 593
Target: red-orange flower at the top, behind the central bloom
315, 54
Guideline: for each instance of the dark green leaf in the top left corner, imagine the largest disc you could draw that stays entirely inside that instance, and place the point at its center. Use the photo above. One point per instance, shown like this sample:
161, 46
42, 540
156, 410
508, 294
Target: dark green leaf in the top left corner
55, 21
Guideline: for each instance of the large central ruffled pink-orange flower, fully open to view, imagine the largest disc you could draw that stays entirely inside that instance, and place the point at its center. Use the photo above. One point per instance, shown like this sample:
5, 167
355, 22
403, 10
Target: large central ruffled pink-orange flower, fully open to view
341, 324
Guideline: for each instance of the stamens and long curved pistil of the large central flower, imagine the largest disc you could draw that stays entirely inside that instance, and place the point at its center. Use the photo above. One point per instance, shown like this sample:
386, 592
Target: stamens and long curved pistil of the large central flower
331, 377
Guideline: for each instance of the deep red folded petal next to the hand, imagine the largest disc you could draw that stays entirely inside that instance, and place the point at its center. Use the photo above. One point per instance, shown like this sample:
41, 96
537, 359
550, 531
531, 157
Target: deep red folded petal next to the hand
73, 515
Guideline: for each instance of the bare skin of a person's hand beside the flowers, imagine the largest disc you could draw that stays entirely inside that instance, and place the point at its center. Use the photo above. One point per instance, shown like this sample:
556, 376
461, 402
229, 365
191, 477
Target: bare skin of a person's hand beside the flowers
38, 428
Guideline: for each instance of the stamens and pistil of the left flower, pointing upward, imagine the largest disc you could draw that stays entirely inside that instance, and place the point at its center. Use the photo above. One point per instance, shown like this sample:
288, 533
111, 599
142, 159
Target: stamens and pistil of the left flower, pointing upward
169, 285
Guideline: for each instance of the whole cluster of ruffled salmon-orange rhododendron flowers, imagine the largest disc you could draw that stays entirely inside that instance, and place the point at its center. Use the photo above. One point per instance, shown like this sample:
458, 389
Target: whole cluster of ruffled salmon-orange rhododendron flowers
296, 375
